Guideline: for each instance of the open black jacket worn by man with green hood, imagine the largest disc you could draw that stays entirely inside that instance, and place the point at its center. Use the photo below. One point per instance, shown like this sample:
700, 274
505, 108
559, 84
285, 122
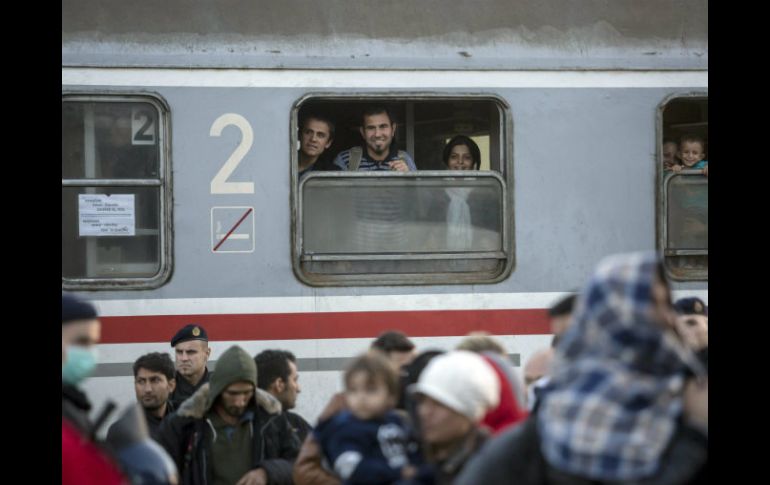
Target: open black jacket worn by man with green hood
187, 435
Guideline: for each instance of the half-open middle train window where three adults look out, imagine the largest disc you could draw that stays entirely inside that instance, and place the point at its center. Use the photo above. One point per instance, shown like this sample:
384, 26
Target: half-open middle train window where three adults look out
430, 225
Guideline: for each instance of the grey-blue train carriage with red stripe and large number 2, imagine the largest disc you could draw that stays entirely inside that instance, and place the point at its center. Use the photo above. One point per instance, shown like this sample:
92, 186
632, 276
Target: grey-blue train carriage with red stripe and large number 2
576, 105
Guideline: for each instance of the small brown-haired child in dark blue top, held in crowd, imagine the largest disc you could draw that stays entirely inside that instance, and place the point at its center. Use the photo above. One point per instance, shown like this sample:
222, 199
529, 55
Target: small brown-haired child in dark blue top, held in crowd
368, 443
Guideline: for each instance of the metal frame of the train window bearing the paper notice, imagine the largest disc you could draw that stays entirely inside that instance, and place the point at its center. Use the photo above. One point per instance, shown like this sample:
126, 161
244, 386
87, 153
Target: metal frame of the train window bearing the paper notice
163, 183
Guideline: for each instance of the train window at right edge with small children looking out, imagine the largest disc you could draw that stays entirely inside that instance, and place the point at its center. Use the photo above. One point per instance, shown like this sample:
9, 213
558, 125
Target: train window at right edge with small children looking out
683, 186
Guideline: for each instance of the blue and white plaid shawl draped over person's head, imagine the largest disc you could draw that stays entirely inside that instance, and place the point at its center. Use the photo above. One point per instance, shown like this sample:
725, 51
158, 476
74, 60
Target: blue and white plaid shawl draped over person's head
614, 397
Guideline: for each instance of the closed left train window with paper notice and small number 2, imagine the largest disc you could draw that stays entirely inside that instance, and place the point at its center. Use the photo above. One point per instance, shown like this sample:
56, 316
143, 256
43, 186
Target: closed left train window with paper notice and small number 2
115, 191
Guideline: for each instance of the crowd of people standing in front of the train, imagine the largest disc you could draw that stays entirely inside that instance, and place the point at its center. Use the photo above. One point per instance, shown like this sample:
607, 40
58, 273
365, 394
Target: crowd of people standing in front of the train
620, 397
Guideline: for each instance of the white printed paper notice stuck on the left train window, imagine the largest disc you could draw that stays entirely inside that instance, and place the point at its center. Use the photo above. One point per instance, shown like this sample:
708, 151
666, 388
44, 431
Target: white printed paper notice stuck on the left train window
106, 215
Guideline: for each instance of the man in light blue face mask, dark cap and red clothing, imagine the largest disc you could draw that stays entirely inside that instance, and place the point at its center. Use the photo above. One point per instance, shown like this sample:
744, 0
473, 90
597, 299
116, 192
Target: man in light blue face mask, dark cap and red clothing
83, 462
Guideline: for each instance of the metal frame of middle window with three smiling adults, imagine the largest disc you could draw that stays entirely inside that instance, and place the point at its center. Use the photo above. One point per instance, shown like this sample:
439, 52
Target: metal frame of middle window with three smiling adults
505, 178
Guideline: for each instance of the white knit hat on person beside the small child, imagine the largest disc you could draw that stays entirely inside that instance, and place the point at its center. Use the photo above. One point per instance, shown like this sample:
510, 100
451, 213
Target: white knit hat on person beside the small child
462, 381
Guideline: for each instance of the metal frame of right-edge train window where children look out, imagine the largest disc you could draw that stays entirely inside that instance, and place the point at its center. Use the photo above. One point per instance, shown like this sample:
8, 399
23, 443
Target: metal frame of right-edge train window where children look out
661, 198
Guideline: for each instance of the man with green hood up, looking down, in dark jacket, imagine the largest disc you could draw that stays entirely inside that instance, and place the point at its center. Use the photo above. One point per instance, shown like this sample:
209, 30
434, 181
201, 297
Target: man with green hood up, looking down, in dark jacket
229, 431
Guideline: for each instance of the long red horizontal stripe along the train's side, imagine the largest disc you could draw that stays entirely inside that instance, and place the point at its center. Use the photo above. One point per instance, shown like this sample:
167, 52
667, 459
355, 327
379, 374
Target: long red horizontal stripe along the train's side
293, 326
